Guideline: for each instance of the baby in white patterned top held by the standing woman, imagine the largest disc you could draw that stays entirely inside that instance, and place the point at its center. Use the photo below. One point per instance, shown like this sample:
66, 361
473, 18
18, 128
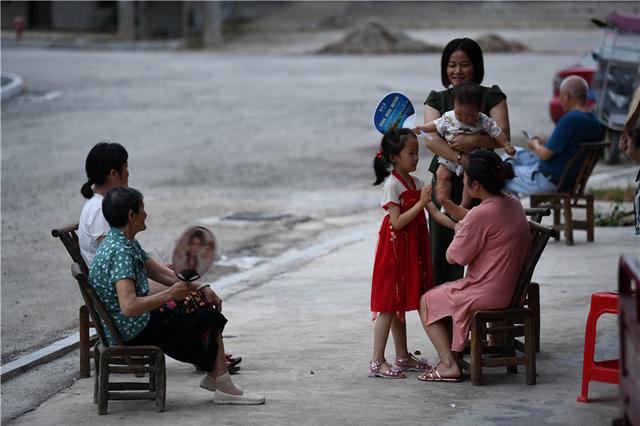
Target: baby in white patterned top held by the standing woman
465, 118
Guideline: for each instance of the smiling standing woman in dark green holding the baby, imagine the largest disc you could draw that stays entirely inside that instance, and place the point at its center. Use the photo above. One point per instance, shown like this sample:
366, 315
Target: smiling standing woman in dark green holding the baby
461, 61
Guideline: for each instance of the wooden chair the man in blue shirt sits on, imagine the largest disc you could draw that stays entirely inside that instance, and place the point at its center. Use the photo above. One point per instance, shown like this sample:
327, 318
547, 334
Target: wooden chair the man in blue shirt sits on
571, 194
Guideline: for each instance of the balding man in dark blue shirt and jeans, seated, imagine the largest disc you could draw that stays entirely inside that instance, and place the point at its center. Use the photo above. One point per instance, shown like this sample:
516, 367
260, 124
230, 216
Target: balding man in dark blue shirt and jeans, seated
540, 169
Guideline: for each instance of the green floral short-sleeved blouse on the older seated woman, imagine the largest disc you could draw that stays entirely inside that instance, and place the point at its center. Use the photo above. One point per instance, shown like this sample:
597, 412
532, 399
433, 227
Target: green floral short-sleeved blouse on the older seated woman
118, 258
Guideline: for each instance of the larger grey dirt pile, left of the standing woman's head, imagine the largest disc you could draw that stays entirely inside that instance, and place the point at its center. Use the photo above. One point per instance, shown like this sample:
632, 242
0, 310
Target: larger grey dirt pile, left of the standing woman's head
371, 37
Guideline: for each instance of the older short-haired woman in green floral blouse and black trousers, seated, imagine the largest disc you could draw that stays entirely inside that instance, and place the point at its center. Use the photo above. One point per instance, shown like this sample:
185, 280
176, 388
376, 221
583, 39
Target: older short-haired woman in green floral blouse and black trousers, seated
119, 275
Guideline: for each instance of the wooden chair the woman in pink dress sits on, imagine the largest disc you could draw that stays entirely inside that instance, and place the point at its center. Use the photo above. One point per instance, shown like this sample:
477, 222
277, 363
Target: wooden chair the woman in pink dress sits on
515, 321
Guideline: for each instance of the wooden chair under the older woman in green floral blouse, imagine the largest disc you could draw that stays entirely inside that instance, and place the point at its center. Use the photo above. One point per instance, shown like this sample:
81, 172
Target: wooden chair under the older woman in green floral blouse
120, 359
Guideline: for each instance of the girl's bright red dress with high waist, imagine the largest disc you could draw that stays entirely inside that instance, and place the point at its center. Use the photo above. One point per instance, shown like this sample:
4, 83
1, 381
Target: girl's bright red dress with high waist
402, 267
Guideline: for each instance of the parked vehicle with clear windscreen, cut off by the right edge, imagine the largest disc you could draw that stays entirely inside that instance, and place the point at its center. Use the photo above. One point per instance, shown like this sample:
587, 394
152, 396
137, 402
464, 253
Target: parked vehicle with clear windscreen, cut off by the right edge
618, 74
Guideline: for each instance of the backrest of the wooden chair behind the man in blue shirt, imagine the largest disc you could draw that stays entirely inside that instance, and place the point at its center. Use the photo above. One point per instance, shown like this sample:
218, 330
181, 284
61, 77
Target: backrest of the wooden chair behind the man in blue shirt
577, 171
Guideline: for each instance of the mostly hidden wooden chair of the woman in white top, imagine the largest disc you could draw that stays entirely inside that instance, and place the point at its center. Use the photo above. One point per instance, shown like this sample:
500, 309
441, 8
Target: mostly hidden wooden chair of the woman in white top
69, 238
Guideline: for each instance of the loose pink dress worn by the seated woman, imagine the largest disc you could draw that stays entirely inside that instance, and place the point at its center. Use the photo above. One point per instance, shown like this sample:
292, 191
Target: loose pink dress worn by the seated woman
493, 240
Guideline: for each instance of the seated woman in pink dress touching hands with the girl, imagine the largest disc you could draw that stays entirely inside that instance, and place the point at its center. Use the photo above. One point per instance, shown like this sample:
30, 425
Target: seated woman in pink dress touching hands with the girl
493, 241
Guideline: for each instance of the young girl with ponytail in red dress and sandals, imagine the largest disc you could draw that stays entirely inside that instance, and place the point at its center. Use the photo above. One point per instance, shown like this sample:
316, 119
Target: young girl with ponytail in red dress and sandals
402, 268
